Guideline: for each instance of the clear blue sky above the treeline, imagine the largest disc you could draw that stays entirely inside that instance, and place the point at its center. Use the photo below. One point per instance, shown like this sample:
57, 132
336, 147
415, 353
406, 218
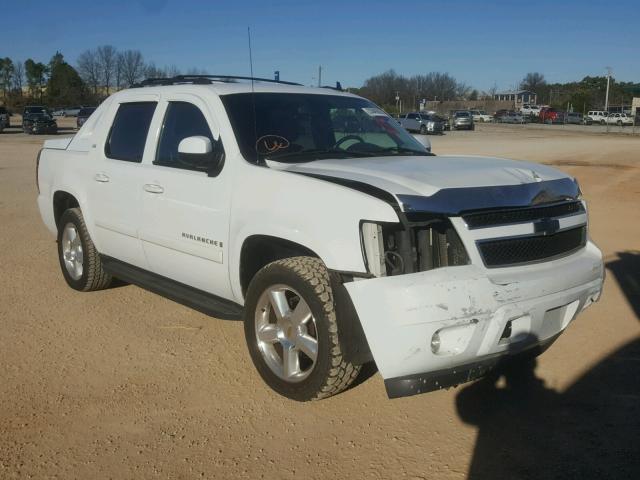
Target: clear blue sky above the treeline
480, 43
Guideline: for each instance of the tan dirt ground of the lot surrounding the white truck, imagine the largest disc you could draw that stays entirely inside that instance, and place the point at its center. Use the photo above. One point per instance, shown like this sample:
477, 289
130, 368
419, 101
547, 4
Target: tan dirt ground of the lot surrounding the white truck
125, 384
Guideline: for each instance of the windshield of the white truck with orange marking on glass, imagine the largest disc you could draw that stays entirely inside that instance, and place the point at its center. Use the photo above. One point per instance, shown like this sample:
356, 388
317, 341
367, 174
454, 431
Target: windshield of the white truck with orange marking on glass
306, 127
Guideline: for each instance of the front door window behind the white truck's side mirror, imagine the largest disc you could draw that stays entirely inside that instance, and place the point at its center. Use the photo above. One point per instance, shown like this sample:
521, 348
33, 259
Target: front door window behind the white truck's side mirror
182, 120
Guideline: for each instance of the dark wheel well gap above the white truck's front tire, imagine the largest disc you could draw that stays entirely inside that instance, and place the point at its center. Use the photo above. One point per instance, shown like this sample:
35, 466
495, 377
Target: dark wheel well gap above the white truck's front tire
260, 250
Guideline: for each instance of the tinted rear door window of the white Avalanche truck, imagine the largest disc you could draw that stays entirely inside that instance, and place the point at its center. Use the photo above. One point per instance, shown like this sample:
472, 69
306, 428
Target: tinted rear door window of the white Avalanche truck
129, 131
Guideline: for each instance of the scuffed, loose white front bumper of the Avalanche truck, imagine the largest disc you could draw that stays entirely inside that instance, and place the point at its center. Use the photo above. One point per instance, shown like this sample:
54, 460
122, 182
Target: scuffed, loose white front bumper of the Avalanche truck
447, 326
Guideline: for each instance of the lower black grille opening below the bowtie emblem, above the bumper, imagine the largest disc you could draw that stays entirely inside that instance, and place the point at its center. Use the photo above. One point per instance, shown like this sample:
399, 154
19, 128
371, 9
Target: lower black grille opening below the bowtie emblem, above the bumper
514, 251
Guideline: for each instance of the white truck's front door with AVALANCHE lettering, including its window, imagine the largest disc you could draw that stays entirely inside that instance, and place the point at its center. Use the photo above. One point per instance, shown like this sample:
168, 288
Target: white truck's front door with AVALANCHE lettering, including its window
185, 211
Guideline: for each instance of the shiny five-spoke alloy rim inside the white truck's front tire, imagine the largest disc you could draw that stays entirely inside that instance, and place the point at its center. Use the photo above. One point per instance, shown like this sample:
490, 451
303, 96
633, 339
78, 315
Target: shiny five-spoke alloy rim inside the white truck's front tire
286, 333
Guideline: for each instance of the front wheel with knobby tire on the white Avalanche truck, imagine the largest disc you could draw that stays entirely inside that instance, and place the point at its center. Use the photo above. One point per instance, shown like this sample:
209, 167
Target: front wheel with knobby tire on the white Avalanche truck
292, 333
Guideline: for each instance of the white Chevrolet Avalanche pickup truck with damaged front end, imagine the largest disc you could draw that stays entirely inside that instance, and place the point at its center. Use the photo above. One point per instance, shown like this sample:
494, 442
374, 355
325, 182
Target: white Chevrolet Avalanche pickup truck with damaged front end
248, 200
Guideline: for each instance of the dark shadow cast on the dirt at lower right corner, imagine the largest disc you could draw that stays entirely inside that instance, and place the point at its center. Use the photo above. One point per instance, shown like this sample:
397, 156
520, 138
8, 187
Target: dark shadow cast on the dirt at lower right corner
590, 431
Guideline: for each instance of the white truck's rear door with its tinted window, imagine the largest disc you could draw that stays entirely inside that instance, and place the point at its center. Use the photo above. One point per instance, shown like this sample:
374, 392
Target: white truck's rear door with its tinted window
114, 193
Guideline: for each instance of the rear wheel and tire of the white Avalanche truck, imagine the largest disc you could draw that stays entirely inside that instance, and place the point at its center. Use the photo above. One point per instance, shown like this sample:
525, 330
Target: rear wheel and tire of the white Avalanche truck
79, 260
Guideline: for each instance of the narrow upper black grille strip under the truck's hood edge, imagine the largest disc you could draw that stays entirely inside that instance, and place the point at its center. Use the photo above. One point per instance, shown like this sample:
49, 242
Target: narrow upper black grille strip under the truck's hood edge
521, 215
